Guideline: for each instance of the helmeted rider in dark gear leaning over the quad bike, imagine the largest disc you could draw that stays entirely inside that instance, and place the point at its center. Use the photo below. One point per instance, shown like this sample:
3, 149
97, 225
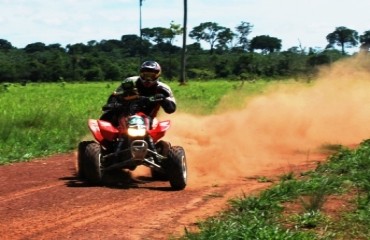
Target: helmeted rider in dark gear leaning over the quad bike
154, 94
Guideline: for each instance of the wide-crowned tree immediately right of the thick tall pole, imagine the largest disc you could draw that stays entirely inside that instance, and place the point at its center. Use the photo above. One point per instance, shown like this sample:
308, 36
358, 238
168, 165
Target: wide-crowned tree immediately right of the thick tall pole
211, 33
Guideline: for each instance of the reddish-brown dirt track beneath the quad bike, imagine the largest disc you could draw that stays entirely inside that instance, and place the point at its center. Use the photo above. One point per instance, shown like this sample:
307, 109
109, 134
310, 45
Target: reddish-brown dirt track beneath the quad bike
43, 199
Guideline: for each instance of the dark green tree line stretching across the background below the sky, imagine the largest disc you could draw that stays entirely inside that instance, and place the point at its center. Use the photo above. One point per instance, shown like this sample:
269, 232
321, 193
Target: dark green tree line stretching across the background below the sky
231, 55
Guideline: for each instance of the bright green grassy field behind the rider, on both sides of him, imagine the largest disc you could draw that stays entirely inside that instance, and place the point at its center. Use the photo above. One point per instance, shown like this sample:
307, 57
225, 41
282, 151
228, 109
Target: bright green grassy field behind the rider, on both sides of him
47, 118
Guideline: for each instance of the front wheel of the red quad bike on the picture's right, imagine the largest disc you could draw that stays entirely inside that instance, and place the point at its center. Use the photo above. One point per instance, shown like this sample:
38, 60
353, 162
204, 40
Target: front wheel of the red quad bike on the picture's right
177, 168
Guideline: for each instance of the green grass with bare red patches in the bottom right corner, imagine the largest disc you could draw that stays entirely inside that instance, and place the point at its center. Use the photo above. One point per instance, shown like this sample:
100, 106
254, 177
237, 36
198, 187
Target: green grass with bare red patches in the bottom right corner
330, 202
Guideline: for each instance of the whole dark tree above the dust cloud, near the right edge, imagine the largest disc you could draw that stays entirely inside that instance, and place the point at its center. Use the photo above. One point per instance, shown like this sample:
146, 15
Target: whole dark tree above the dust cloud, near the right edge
343, 37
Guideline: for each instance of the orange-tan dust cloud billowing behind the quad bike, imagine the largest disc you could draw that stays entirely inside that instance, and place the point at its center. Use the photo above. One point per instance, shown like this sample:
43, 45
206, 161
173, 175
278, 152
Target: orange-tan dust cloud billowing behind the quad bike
280, 128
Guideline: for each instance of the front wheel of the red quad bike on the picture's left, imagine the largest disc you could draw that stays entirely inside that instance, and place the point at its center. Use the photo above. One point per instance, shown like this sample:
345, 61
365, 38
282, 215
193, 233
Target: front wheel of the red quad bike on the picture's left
91, 163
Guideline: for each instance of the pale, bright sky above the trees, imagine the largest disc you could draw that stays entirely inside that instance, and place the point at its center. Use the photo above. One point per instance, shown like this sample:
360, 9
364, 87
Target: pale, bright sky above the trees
302, 23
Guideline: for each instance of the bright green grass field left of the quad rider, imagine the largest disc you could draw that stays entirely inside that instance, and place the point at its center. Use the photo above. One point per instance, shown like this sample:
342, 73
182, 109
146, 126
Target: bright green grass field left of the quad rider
42, 119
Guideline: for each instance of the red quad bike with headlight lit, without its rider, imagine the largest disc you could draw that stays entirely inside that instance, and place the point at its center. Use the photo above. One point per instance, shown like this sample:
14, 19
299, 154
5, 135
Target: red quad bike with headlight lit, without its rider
135, 141
